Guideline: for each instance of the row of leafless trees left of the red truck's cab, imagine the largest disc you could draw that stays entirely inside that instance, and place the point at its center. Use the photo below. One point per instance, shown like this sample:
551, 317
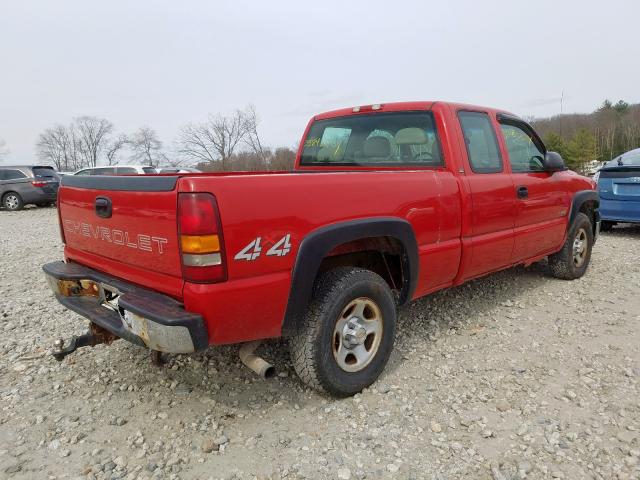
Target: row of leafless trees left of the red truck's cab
220, 143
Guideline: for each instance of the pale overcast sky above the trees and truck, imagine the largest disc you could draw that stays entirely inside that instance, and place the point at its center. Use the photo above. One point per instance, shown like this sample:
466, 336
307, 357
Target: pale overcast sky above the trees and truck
164, 64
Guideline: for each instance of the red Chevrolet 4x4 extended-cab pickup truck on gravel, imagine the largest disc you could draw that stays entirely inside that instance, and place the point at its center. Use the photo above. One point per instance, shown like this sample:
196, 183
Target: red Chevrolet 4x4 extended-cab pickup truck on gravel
387, 203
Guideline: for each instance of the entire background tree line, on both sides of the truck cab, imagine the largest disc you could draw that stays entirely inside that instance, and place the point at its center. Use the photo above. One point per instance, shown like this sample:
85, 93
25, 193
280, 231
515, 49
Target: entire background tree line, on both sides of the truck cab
232, 142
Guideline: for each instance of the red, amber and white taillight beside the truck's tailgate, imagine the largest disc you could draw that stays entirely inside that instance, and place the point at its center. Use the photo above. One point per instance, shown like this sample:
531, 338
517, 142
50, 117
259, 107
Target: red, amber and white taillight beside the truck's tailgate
201, 244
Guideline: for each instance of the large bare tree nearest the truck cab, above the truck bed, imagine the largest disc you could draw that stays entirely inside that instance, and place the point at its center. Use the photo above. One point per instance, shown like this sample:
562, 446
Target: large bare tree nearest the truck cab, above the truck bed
215, 140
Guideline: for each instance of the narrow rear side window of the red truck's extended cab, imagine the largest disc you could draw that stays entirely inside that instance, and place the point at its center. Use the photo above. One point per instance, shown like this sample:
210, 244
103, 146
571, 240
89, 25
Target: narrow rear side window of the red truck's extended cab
480, 139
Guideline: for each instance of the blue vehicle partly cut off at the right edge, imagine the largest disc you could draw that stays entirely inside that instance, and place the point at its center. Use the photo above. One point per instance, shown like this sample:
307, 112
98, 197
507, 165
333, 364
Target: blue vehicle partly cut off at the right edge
619, 187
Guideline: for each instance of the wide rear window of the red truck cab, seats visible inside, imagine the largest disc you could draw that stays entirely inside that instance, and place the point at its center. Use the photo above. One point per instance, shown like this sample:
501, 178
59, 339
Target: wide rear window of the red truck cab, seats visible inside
379, 139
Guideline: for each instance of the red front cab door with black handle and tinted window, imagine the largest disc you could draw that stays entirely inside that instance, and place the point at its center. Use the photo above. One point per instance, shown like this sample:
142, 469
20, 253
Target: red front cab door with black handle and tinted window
541, 198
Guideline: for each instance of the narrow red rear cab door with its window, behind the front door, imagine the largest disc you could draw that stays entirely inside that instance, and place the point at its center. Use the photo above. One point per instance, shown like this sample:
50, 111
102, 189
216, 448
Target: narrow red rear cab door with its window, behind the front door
492, 196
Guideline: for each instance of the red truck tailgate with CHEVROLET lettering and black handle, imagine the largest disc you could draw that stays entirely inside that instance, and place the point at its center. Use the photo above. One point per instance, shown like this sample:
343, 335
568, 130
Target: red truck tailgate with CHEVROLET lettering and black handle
129, 220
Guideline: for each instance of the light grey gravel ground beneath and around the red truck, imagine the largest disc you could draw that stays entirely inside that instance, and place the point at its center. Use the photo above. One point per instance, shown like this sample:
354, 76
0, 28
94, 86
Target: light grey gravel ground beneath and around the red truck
514, 376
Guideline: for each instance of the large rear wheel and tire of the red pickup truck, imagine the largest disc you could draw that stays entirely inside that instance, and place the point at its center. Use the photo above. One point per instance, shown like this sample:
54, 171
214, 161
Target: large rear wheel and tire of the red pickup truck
347, 333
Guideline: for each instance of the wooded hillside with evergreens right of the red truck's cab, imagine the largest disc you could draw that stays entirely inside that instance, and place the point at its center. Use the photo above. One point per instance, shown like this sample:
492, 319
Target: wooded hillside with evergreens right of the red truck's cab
609, 131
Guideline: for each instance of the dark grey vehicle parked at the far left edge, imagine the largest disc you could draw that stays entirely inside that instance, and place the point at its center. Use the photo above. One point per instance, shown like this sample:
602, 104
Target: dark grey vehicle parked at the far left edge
28, 184
